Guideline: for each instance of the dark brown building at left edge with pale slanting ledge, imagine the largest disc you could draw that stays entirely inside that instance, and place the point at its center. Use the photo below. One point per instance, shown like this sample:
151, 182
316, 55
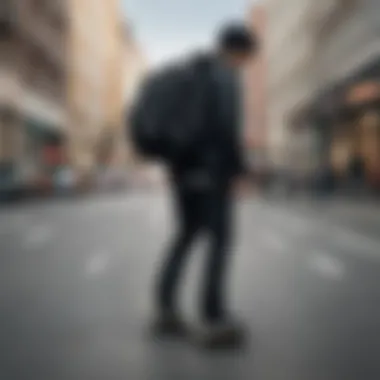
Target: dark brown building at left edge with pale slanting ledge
32, 86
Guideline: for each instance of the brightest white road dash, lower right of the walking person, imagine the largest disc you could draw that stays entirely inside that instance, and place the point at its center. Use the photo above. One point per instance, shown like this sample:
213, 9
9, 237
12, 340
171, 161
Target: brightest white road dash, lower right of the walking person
327, 266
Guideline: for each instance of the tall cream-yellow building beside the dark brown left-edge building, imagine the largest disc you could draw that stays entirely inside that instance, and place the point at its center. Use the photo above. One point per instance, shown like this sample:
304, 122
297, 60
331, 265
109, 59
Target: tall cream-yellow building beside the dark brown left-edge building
95, 86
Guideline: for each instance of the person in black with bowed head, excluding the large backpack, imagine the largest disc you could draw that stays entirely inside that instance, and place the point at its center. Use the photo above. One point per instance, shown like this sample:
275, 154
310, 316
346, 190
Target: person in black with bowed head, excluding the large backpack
202, 189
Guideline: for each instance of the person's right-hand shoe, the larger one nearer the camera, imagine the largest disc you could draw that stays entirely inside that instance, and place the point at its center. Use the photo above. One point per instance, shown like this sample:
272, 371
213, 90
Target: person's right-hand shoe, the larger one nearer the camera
223, 335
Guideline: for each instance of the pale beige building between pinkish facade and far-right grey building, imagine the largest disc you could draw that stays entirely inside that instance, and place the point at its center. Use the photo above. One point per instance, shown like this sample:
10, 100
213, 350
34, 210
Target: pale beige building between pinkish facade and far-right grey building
290, 70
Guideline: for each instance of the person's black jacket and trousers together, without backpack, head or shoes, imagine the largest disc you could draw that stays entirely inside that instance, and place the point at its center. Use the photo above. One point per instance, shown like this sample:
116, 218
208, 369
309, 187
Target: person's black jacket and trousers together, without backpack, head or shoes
202, 188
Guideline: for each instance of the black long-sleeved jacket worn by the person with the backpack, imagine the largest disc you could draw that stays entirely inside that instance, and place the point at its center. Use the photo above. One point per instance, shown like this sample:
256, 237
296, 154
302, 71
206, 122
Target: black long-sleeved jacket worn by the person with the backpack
220, 158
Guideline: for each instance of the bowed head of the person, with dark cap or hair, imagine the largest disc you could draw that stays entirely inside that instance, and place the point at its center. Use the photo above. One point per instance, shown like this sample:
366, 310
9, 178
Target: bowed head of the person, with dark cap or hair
237, 44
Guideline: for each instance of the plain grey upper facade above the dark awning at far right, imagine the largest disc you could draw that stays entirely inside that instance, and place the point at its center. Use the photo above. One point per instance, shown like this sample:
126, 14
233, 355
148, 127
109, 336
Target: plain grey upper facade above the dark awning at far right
348, 34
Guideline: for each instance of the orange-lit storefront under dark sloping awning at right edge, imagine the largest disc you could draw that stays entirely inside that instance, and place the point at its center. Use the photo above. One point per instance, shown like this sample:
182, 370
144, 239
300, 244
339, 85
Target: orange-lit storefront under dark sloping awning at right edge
347, 117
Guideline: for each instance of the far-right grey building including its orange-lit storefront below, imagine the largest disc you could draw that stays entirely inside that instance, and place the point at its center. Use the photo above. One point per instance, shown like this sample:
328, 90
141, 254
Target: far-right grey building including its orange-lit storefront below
349, 122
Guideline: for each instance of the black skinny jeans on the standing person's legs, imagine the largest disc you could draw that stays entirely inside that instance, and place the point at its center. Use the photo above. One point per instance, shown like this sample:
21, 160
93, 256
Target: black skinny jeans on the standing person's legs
199, 211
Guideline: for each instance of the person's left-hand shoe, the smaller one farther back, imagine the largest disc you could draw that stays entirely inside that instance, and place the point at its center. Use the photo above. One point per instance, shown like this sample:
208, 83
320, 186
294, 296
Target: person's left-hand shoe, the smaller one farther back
169, 325
